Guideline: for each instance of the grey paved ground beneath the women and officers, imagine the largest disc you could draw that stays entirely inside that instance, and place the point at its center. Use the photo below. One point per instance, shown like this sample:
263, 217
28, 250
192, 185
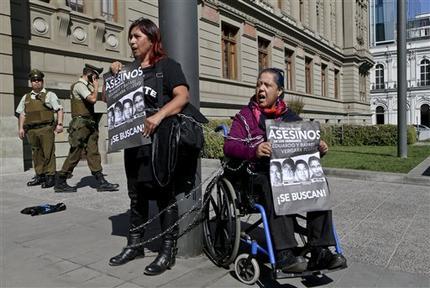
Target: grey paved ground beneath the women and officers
383, 223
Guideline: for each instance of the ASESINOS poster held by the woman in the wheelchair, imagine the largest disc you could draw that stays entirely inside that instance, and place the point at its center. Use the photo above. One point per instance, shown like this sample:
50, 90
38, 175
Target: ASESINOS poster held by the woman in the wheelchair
297, 179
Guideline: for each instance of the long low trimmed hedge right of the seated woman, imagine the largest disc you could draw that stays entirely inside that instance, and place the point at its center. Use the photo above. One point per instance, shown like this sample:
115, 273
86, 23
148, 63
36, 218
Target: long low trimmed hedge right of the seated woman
359, 135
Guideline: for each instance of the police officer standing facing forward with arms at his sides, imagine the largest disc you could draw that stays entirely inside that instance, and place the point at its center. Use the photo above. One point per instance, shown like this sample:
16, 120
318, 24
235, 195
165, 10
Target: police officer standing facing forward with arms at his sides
36, 120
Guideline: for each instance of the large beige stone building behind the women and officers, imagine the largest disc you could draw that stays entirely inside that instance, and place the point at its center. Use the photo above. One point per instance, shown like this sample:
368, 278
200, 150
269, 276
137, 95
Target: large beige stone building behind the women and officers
325, 55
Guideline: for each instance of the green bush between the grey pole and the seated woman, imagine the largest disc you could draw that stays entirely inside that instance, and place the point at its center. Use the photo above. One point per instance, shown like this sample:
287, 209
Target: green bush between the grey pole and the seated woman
214, 141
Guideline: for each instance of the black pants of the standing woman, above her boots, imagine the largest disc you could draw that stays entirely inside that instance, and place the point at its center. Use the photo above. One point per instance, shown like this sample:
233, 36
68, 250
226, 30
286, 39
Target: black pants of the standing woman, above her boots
140, 193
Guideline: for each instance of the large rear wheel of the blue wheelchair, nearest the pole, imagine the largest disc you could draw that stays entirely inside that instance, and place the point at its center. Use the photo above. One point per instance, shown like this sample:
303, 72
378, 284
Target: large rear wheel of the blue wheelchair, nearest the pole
221, 225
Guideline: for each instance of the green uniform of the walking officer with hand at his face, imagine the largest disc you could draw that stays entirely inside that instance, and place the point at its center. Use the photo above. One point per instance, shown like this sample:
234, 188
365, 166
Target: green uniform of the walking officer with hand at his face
83, 130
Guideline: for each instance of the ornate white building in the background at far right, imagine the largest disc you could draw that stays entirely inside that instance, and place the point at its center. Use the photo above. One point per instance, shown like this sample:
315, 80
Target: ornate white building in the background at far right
383, 91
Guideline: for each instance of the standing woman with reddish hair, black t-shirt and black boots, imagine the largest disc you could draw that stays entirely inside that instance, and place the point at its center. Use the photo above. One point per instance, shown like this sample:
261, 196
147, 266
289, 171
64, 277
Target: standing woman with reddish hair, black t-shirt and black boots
145, 42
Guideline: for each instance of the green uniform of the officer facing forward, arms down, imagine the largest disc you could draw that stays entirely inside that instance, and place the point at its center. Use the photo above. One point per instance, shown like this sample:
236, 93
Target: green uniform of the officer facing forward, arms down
38, 109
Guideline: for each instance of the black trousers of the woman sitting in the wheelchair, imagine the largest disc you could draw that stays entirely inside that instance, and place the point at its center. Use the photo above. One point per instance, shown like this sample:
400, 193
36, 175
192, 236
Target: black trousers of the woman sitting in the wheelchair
319, 223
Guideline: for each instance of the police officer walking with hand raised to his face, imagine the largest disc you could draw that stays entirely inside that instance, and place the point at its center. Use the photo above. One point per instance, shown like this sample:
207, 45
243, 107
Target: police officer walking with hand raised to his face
83, 132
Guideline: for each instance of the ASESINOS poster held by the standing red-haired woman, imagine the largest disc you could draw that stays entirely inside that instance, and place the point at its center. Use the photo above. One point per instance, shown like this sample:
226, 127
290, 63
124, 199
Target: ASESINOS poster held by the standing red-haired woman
125, 107
